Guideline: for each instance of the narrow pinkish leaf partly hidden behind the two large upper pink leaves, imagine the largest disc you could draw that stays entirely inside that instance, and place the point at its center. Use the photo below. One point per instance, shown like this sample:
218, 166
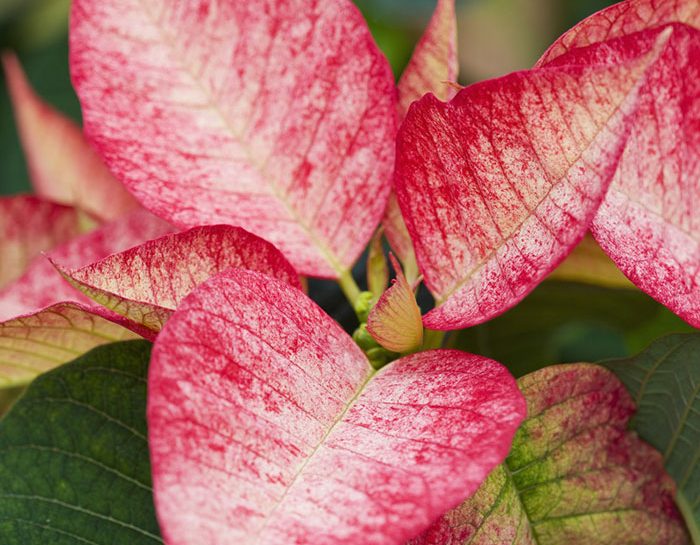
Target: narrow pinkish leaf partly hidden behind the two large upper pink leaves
433, 66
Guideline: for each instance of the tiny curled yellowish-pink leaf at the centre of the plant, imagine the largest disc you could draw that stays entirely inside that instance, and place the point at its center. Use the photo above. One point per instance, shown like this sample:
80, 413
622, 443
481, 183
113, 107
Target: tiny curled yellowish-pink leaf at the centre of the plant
395, 322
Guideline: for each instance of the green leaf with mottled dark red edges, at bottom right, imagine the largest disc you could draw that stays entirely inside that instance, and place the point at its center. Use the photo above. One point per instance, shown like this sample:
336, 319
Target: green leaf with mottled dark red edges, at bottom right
575, 474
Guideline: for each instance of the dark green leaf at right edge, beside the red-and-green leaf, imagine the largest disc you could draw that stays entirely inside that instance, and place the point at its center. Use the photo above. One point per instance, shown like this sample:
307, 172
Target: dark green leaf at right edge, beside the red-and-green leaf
664, 381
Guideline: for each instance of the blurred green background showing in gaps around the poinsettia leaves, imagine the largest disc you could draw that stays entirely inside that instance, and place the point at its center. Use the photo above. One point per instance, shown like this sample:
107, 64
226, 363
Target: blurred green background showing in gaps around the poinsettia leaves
560, 321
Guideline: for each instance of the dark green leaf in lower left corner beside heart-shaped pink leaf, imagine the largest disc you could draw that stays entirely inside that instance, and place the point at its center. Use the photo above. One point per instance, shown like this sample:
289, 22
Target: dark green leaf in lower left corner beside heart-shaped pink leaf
74, 464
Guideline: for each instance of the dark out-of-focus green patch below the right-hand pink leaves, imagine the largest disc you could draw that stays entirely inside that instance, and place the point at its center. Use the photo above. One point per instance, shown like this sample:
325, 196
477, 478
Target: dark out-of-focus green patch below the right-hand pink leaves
564, 322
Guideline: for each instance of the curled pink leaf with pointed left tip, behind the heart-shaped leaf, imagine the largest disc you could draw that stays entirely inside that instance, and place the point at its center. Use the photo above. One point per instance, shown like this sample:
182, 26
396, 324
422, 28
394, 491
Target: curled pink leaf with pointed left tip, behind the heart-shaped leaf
146, 283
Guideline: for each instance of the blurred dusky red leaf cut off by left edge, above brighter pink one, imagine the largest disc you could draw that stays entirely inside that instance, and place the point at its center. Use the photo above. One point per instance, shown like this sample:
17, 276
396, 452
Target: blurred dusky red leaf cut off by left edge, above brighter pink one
29, 226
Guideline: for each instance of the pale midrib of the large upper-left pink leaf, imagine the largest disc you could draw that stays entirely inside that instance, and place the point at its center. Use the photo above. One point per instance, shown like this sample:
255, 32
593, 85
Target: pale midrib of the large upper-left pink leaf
326, 252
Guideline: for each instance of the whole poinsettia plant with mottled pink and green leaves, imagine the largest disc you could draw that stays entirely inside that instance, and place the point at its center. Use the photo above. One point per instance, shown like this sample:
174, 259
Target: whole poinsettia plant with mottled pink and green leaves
232, 149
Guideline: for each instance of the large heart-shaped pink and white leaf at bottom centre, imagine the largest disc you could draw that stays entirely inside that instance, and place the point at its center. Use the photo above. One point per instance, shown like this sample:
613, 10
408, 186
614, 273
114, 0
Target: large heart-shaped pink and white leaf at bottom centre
268, 425
